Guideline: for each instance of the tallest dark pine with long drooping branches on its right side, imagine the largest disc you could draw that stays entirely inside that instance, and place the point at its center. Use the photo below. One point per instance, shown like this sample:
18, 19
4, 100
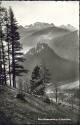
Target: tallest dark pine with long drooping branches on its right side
16, 53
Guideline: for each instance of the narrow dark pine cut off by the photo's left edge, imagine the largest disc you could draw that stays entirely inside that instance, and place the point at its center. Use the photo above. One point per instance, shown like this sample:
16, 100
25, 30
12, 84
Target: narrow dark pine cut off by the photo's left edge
2, 47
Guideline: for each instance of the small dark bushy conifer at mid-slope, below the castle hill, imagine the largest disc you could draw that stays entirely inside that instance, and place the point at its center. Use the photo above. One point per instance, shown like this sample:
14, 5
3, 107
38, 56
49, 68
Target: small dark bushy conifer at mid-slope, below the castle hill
37, 86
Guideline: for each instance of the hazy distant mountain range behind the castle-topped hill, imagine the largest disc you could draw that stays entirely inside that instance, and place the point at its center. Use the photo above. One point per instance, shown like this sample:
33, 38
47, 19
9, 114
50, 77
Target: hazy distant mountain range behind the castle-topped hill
63, 40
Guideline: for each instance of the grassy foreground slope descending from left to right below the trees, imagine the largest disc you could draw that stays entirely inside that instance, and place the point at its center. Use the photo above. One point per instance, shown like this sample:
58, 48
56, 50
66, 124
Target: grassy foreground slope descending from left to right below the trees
30, 110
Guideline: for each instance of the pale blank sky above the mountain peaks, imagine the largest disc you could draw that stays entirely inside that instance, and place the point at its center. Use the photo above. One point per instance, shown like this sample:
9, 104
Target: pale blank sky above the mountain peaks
59, 13
